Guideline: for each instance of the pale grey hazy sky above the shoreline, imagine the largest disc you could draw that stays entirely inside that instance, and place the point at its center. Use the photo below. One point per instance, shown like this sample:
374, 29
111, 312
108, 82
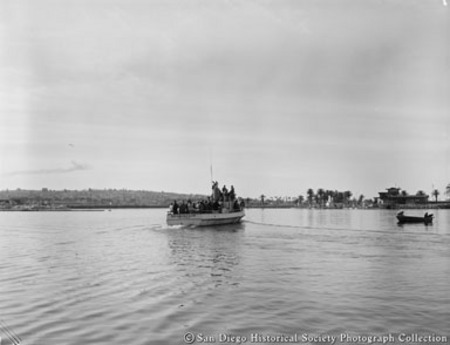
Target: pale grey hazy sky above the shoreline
276, 96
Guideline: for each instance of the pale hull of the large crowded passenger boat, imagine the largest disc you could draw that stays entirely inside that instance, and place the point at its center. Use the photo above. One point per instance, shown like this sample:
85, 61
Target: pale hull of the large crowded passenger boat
204, 219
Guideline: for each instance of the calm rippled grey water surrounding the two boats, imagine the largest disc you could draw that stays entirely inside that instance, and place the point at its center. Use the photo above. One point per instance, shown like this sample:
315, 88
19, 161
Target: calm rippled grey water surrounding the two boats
124, 277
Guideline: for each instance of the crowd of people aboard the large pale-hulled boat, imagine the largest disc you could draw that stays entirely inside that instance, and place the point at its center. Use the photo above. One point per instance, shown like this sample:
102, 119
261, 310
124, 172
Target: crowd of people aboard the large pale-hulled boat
217, 202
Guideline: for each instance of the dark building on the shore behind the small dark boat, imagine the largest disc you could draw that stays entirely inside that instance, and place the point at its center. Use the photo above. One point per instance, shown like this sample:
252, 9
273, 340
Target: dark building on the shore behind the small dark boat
395, 198
